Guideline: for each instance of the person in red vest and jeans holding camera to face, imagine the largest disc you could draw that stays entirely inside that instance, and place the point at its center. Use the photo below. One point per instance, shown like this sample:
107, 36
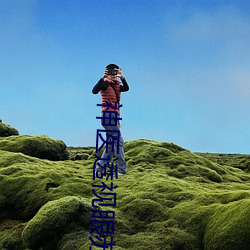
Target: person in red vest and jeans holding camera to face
111, 89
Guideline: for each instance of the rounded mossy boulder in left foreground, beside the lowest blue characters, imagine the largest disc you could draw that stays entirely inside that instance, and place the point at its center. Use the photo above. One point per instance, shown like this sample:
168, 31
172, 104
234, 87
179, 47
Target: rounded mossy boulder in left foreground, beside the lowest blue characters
51, 221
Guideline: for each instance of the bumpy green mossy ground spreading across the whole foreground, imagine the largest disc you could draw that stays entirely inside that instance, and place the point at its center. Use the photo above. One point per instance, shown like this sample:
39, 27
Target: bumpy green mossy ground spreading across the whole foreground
171, 198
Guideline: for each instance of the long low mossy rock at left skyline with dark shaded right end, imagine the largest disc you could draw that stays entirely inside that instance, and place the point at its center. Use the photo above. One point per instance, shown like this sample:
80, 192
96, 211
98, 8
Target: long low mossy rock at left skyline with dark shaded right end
39, 146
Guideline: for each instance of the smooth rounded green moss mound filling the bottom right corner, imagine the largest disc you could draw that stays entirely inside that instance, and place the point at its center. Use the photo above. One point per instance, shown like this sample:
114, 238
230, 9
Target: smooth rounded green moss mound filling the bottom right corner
228, 227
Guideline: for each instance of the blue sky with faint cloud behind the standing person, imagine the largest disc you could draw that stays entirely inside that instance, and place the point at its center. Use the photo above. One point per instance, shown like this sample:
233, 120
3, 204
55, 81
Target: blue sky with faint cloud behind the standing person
187, 64
